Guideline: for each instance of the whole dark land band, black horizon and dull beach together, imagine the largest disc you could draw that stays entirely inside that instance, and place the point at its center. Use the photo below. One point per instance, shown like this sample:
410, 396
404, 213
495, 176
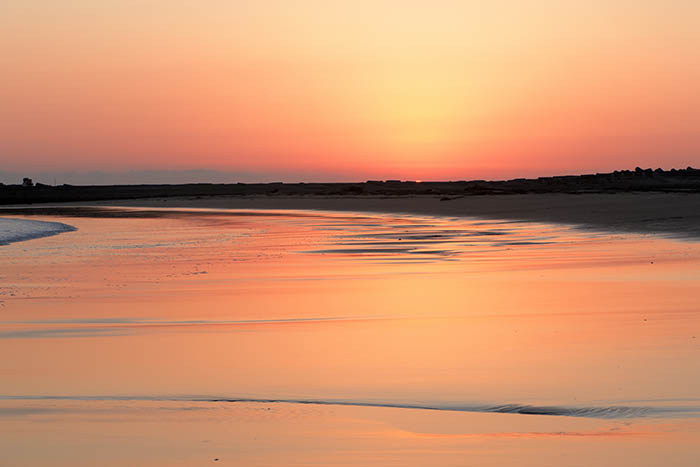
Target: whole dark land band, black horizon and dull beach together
646, 201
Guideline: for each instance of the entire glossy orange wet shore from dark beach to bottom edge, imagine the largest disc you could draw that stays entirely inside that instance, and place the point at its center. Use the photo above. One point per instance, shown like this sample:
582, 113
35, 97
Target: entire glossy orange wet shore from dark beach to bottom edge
504, 337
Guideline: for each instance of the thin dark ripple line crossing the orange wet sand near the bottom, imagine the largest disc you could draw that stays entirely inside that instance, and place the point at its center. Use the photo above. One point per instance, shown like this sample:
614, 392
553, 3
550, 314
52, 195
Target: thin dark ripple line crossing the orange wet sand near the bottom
599, 412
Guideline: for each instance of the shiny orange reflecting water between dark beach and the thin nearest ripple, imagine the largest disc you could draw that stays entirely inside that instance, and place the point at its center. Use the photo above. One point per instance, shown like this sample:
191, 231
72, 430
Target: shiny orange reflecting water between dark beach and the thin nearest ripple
362, 311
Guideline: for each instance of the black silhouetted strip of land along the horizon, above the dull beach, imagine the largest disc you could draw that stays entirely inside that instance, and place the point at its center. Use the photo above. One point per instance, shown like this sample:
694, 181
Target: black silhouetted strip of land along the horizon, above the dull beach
646, 180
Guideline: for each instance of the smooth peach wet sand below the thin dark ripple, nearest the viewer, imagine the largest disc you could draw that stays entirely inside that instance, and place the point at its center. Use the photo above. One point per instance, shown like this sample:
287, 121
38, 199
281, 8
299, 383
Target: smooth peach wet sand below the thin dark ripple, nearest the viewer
160, 434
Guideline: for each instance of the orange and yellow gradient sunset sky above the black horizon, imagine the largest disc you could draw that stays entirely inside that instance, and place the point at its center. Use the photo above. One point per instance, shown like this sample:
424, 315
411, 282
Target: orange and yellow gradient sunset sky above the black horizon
349, 90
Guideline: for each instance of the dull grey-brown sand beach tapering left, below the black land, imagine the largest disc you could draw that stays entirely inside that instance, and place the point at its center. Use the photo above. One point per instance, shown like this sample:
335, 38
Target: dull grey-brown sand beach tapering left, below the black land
672, 214
